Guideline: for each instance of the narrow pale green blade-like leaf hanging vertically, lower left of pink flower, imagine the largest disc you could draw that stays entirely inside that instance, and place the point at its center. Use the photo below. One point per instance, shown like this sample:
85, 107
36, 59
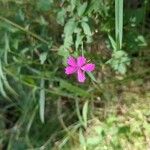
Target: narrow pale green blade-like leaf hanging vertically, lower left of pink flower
42, 100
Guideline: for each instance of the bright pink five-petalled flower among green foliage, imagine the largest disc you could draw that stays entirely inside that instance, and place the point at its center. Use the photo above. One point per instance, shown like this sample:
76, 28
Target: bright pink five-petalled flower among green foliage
79, 66
